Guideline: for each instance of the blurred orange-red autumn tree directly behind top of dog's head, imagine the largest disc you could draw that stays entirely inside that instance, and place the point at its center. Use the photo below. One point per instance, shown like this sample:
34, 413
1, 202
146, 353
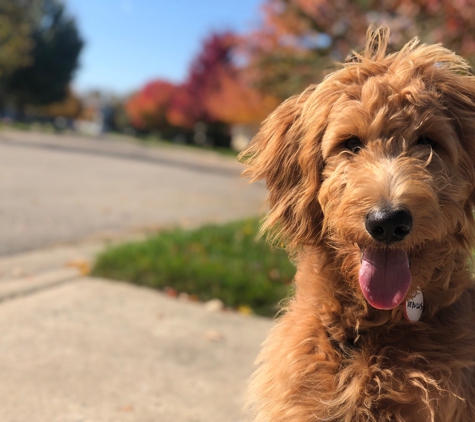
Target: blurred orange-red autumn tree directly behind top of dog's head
300, 38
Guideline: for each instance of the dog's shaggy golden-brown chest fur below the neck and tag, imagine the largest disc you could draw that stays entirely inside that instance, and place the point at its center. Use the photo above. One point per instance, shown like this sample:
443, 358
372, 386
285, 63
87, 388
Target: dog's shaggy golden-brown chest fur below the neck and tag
407, 372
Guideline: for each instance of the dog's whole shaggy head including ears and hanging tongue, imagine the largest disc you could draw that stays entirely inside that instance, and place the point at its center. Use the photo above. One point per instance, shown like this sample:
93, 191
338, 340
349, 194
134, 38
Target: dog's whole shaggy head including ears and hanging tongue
377, 162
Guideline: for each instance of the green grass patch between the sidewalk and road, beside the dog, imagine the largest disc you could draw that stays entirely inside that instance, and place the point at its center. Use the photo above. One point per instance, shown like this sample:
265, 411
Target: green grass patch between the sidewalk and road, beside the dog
230, 262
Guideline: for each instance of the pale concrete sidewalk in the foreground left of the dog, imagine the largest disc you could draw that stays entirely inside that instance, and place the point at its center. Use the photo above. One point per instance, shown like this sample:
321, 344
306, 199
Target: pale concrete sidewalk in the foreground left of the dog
75, 348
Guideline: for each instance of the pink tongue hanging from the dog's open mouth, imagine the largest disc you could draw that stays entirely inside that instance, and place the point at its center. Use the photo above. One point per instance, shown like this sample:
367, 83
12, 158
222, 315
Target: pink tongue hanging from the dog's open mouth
384, 277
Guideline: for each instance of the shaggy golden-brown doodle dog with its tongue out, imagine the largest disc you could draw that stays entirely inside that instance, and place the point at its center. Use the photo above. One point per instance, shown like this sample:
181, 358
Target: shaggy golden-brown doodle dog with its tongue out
371, 179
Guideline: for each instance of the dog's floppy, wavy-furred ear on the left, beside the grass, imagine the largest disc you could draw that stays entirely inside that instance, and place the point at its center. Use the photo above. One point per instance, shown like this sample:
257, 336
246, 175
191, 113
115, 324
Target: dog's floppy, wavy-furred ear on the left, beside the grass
286, 154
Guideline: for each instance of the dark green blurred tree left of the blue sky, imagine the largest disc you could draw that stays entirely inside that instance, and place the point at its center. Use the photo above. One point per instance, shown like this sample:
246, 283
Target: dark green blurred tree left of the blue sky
54, 57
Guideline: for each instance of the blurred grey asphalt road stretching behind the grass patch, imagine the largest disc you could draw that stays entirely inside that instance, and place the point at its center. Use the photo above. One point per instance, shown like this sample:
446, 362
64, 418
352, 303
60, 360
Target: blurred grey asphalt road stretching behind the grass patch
61, 189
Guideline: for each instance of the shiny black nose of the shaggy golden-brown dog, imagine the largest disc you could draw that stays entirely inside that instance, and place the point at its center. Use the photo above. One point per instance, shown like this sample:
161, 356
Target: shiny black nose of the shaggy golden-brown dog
388, 225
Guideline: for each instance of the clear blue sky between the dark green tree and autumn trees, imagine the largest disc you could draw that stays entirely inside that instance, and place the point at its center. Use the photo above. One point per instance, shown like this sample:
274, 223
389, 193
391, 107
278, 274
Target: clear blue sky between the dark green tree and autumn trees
130, 42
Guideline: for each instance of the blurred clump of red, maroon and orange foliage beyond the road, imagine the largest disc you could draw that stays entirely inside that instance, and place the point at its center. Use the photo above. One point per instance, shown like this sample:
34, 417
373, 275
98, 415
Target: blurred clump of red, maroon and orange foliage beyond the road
215, 91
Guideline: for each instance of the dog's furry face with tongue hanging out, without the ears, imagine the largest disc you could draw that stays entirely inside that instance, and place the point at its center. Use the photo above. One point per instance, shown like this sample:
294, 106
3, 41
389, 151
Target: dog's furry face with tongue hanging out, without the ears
395, 179
